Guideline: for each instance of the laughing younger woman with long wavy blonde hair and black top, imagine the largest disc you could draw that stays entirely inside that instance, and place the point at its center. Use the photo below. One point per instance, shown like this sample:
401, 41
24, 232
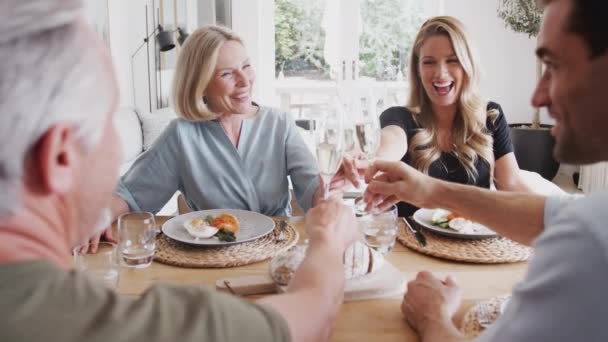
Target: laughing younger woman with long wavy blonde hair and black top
447, 130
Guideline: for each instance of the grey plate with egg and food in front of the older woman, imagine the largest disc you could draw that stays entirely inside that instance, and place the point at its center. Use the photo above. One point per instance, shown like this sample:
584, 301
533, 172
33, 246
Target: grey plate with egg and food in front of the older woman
218, 227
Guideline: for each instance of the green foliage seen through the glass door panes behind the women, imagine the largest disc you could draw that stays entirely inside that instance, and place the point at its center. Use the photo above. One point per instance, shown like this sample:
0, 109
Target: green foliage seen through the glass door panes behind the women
389, 29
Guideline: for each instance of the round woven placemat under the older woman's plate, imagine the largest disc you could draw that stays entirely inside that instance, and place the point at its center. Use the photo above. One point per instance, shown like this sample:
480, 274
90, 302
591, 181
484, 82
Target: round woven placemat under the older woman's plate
175, 253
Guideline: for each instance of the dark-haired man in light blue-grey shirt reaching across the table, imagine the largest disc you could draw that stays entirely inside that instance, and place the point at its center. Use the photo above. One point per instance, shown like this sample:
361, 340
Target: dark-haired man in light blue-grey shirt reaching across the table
563, 297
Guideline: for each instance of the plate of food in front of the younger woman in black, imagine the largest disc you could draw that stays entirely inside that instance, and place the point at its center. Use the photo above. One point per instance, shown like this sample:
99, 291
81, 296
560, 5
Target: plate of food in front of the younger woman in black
451, 224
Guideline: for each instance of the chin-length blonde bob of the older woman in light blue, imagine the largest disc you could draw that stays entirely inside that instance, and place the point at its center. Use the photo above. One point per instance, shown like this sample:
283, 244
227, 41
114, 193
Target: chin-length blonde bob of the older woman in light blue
195, 69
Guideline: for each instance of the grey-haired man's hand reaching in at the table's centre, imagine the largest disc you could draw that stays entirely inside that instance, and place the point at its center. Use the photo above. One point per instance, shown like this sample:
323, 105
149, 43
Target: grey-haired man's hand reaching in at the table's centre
333, 223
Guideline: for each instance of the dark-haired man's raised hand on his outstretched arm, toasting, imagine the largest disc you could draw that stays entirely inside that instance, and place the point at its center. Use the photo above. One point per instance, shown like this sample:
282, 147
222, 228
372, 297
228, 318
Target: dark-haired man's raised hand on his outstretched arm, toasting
392, 182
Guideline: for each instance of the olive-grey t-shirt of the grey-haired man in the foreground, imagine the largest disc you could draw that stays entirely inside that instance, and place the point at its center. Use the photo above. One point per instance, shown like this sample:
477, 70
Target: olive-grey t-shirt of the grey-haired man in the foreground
40, 302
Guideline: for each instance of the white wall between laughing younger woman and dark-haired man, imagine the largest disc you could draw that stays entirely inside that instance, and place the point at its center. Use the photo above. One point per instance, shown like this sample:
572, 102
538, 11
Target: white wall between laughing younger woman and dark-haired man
507, 57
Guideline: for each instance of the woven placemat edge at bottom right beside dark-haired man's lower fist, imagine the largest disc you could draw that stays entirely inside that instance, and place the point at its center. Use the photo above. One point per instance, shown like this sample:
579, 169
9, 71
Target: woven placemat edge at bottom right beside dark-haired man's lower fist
481, 316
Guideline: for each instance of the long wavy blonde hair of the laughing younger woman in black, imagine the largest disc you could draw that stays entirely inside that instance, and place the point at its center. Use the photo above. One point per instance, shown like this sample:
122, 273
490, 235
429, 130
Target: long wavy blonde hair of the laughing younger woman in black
469, 137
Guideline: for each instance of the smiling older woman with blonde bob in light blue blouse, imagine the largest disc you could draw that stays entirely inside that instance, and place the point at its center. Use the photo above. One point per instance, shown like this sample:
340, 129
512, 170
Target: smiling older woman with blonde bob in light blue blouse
225, 151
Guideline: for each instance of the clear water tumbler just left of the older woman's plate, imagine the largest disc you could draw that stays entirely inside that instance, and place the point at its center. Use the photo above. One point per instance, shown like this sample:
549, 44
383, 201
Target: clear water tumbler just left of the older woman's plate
137, 239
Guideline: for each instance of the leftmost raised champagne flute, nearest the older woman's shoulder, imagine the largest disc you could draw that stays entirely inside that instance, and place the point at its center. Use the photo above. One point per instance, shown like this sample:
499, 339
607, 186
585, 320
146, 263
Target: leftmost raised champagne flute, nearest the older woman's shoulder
329, 141
